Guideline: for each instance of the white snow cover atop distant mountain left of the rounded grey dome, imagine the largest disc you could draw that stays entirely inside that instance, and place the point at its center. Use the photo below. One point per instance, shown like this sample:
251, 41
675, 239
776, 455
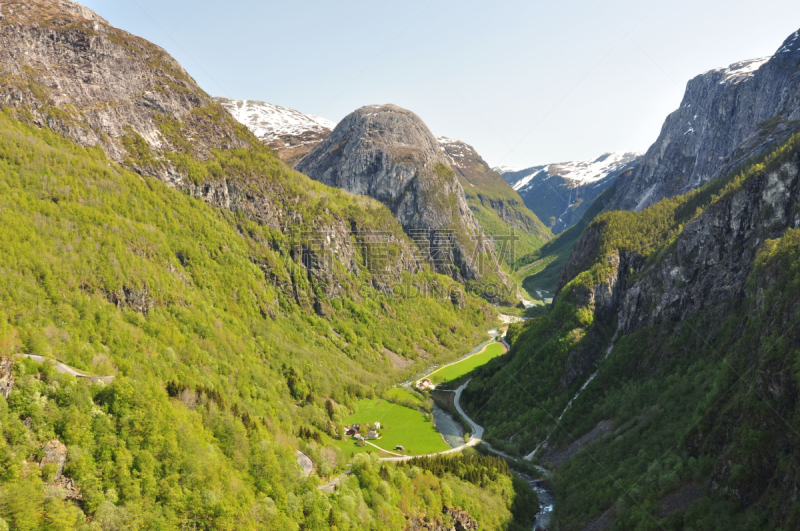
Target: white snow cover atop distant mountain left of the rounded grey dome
270, 122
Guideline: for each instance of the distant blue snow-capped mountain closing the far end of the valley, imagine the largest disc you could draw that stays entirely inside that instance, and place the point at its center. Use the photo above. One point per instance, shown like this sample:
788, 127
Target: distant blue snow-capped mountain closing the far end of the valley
561, 193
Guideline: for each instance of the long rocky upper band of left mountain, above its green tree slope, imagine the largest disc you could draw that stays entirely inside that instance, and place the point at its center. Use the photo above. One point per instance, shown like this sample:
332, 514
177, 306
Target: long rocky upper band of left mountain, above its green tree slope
65, 68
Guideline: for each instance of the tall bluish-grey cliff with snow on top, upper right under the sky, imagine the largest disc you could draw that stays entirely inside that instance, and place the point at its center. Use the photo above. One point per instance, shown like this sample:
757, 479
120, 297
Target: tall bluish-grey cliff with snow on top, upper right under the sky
726, 116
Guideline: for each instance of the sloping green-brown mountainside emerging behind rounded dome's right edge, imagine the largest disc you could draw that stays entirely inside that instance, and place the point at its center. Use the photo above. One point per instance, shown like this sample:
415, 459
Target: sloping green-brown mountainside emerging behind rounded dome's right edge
486, 189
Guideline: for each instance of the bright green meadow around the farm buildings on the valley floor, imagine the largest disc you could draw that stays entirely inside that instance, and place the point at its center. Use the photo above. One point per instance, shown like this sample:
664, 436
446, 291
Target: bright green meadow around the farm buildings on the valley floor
405, 426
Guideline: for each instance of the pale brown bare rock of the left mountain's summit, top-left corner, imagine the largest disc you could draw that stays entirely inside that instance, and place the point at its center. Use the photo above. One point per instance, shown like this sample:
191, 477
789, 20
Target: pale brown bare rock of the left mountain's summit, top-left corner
97, 85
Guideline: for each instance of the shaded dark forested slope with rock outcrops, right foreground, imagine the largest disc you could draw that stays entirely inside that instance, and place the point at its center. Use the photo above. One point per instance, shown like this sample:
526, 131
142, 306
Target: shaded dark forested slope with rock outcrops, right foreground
679, 322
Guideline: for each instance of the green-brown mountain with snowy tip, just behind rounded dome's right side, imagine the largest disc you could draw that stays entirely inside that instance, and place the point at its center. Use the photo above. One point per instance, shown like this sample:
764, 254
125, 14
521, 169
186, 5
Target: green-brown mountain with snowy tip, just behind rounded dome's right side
495, 204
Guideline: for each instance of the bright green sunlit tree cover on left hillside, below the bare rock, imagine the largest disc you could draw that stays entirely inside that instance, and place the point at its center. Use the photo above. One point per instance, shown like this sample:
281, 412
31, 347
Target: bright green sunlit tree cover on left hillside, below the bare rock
217, 365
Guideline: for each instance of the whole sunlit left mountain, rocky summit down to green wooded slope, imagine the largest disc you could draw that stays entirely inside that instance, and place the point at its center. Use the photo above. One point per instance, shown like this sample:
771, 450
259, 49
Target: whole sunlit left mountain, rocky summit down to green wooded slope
227, 310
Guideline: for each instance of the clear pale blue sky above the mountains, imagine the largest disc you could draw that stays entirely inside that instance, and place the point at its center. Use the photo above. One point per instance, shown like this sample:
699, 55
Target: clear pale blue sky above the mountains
525, 82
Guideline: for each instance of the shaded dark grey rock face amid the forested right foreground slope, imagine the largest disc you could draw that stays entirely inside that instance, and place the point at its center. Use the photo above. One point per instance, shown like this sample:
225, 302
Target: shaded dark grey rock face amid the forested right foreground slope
715, 254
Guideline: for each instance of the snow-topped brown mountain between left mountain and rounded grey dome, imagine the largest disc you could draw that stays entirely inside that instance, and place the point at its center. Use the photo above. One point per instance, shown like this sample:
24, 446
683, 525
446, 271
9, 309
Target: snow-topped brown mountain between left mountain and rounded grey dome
290, 133
